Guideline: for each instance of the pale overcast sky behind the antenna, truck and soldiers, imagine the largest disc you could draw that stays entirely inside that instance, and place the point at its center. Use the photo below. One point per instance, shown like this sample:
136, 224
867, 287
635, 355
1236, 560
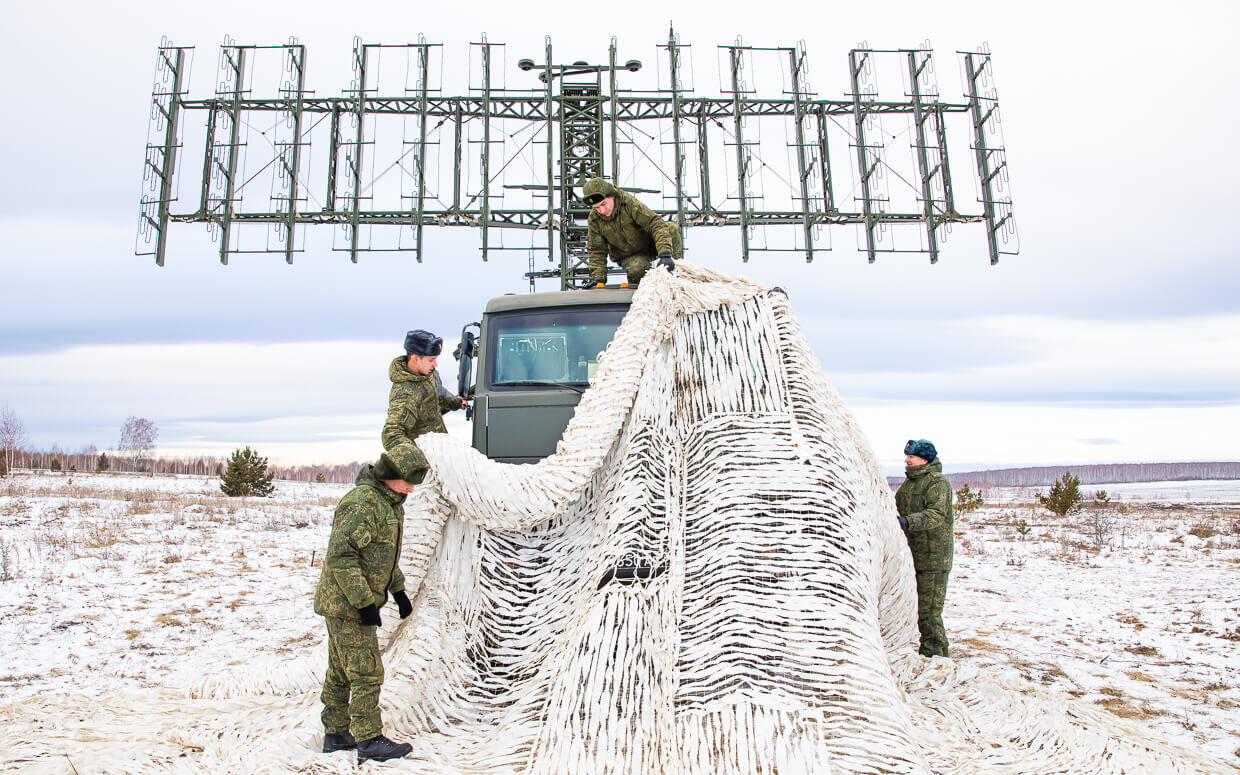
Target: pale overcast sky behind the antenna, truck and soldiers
1113, 337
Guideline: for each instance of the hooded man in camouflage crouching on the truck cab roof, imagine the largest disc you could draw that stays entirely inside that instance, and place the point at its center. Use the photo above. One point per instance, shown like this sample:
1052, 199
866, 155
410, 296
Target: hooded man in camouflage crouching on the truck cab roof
627, 231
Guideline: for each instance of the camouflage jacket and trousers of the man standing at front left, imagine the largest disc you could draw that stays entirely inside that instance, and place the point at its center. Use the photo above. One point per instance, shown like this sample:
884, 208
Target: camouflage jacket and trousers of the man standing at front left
360, 569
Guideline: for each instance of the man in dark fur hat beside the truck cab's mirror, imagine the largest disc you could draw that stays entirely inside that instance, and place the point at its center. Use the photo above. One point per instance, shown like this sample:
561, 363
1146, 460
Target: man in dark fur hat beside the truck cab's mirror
417, 401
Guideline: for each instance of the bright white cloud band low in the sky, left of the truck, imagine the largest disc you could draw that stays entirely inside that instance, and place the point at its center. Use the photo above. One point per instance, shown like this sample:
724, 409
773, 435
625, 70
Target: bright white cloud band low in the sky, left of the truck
328, 396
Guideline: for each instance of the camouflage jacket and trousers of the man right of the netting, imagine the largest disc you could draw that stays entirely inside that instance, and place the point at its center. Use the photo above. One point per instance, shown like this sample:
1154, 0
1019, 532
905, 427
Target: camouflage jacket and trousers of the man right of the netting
926, 502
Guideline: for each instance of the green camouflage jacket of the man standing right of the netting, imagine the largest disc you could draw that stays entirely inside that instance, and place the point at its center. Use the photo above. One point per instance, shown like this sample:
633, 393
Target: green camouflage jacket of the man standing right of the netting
926, 502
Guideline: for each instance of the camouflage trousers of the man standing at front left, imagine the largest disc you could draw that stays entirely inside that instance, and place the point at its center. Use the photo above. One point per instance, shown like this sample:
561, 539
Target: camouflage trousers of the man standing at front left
355, 675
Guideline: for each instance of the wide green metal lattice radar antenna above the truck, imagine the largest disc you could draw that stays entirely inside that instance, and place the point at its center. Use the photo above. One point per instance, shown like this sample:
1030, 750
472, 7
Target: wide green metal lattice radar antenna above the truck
520, 156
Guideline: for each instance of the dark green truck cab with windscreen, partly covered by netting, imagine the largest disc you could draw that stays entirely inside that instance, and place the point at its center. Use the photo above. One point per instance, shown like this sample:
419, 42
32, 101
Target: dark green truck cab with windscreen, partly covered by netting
536, 354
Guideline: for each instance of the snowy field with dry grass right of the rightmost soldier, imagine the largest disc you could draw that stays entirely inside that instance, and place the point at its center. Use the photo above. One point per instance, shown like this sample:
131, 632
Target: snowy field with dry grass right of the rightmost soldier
1135, 608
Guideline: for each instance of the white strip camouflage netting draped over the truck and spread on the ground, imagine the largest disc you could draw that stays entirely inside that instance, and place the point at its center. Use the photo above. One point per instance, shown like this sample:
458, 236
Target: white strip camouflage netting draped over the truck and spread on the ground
776, 634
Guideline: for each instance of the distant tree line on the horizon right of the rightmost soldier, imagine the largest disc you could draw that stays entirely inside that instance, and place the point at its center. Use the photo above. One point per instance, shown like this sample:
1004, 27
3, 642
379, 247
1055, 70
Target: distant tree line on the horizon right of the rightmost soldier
1100, 474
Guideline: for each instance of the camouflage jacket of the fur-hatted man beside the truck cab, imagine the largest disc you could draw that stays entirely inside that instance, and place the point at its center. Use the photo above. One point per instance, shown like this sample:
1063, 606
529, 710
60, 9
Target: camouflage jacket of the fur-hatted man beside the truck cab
416, 406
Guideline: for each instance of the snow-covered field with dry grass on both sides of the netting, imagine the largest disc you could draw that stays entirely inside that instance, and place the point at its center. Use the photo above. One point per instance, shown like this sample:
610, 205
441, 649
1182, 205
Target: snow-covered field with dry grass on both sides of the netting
126, 582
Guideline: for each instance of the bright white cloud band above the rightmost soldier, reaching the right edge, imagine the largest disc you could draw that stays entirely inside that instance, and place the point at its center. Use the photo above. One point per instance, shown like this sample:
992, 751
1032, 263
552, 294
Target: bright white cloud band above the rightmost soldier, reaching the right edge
1082, 363
